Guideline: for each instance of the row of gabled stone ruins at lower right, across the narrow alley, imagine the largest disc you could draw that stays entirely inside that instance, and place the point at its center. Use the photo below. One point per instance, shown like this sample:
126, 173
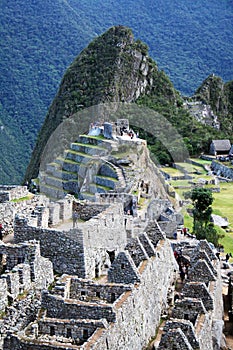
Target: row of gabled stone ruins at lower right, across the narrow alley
200, 300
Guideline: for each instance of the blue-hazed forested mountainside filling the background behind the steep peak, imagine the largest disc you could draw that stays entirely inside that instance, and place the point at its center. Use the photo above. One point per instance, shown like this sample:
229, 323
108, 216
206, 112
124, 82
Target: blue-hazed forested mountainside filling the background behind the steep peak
40, 39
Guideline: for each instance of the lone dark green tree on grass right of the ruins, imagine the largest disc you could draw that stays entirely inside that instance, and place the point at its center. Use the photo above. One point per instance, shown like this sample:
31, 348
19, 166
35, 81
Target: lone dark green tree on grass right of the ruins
202, 199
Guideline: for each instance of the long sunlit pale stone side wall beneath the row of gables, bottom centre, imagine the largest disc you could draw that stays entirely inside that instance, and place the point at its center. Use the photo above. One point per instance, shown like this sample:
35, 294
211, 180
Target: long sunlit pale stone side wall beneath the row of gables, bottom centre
134, 325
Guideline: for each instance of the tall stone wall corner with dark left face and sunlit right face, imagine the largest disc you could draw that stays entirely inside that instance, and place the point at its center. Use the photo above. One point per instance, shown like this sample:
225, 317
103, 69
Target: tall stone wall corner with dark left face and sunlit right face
84, 252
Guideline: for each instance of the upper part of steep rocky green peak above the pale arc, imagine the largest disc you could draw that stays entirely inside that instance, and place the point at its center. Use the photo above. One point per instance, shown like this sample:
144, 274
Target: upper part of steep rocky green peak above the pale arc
113, 68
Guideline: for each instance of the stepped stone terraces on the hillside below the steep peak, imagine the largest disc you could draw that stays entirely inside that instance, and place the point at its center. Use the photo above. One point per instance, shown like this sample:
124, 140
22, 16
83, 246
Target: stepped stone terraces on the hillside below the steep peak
83, 170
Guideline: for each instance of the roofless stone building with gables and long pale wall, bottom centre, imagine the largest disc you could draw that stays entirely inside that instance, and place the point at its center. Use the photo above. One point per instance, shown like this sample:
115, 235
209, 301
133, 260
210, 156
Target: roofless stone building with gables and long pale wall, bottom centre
117, 310
